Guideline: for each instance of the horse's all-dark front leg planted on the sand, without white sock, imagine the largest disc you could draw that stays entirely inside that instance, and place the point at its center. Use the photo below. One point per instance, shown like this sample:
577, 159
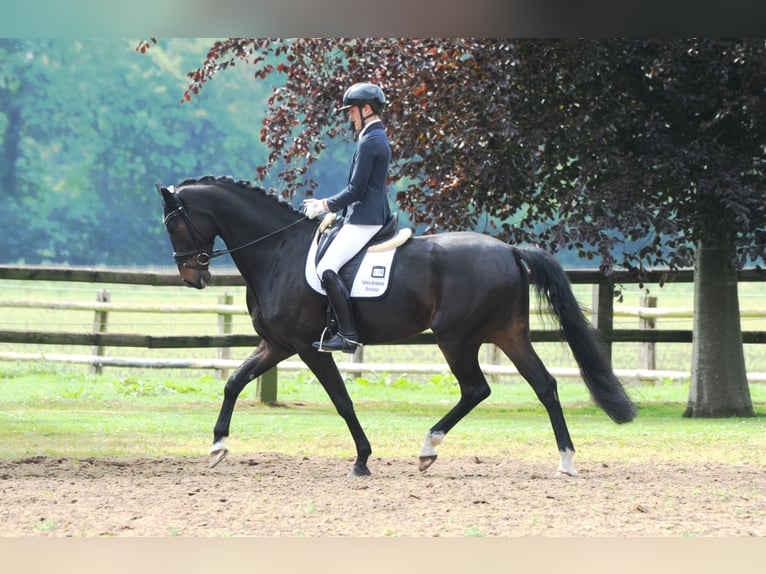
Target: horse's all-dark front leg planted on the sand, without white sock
324, 367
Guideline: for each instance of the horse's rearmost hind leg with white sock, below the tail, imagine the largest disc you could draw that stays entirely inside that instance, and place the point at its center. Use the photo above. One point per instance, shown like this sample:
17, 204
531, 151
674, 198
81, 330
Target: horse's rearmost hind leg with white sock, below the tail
529, 365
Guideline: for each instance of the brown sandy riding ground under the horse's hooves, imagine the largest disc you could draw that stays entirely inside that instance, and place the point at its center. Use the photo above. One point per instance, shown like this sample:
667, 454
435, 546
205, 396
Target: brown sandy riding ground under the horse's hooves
272, 494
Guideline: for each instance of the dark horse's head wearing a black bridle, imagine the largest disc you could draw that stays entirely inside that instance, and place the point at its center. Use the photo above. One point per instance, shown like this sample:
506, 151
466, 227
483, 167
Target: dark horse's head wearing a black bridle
192, 241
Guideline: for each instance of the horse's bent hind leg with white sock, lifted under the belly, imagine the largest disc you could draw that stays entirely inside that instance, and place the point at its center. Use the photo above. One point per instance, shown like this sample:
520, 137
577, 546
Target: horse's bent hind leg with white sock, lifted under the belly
464, 363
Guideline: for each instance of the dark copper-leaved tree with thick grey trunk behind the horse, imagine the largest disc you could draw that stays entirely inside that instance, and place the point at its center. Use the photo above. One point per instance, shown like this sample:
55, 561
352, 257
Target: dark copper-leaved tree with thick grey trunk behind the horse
638, 153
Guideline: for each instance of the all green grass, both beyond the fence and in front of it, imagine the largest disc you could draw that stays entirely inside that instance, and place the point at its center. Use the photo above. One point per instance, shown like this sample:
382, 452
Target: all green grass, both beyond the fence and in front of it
62, 410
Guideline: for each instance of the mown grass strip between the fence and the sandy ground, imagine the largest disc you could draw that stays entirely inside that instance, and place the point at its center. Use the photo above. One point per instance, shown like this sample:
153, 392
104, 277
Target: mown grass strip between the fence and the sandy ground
59, 410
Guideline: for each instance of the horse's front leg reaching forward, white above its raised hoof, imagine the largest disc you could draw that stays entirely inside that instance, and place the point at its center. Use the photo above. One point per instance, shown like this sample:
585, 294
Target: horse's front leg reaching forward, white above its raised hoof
261, 360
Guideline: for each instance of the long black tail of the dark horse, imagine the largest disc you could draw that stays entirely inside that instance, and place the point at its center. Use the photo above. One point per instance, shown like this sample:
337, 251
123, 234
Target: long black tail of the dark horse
553, 285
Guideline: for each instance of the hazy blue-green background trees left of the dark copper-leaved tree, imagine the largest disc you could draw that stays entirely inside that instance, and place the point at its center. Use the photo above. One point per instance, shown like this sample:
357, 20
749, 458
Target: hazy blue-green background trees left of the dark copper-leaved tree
88, 127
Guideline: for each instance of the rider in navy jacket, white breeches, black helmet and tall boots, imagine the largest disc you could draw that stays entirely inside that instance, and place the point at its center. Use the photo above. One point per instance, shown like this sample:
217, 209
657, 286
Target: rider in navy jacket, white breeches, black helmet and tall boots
364, 202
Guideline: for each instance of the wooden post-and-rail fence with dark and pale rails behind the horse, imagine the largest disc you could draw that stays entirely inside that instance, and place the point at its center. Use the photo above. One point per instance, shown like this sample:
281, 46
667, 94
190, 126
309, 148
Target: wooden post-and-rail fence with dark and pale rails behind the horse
603, 314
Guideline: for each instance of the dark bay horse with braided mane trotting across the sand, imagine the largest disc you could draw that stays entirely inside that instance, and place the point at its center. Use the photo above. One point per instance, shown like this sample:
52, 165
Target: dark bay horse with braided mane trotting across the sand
468, 288
